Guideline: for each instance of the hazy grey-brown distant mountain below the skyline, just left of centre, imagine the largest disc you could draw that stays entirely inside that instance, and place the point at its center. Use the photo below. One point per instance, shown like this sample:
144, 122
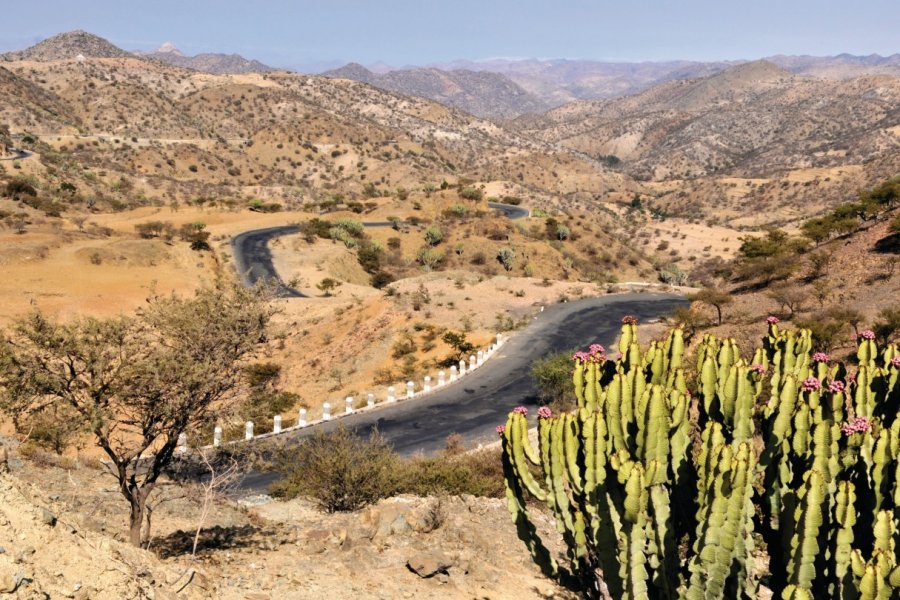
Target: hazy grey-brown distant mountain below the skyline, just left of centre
480, 93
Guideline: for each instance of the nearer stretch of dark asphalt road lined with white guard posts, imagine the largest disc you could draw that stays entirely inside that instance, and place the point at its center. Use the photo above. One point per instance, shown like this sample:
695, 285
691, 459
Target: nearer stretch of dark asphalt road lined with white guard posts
477, 404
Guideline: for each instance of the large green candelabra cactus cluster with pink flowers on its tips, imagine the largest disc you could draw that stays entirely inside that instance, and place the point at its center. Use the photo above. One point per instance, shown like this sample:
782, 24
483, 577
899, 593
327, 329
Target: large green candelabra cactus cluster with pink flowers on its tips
667, 484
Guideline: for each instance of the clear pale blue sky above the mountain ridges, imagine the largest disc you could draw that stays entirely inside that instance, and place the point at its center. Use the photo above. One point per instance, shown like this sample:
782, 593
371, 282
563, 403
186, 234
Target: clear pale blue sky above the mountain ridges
285, 33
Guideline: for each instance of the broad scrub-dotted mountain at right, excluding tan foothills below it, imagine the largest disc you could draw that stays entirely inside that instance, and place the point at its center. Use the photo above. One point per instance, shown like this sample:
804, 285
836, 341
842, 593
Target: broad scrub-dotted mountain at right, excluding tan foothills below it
752, 120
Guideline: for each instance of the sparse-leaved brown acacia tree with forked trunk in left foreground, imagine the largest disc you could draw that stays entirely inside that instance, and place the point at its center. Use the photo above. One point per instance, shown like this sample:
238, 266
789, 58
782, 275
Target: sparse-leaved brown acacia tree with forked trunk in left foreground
136, 383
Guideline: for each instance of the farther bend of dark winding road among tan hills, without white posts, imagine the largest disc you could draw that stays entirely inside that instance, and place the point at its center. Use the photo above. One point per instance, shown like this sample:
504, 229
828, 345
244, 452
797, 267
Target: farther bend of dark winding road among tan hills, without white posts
253, 258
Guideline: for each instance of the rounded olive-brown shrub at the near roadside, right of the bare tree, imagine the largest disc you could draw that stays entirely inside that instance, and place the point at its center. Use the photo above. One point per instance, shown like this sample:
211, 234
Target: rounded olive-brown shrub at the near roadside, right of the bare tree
338, 470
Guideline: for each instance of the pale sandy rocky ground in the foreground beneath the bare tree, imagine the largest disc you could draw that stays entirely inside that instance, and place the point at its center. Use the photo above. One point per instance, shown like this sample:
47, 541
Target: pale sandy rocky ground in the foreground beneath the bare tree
63, 526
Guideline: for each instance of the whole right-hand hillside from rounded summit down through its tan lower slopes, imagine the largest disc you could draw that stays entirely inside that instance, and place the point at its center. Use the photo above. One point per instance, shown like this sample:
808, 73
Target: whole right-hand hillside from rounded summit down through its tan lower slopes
745, 135
